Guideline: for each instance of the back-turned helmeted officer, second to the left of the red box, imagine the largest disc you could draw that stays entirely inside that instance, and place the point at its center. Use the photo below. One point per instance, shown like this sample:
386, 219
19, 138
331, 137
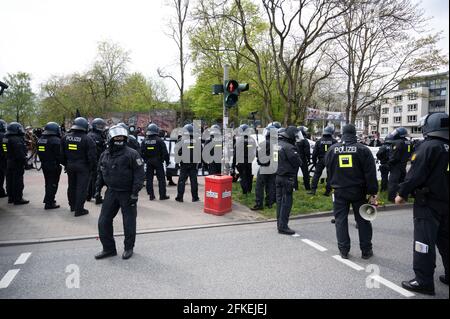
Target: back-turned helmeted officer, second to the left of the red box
154, 153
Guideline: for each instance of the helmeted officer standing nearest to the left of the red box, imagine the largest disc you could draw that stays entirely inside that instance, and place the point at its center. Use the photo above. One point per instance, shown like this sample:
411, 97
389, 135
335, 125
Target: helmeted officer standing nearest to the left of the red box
188, 163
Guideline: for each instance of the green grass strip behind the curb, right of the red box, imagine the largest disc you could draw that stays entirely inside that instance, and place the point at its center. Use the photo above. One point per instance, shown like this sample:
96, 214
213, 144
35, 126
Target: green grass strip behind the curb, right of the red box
303, 203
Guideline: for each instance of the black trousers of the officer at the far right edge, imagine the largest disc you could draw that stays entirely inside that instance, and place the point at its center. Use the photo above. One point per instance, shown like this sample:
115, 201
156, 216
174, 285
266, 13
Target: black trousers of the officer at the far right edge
431, 230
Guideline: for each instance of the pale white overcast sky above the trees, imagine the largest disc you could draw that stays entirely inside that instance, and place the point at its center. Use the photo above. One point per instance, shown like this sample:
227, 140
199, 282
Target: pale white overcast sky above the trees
55, 37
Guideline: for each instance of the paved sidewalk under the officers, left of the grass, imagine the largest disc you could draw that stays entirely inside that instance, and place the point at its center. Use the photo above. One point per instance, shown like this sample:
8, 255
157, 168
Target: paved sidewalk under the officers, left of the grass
32, 223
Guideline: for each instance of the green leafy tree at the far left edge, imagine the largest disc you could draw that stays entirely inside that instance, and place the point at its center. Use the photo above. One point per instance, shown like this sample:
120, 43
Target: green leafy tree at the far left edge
19, 99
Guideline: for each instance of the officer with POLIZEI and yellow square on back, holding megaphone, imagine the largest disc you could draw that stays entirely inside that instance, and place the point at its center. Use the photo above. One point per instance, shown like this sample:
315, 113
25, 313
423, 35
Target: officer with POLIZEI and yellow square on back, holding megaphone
352, 174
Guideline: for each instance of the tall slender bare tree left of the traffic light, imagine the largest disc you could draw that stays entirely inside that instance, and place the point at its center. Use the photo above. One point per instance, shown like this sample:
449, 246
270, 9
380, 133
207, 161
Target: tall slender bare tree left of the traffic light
178, 33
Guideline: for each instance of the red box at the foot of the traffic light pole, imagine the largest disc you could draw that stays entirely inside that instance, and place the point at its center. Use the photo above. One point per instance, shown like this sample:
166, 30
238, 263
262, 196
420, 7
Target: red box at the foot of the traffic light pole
218, 194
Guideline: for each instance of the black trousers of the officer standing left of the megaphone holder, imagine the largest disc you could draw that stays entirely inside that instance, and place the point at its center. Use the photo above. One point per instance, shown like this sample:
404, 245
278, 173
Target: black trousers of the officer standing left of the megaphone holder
284, 189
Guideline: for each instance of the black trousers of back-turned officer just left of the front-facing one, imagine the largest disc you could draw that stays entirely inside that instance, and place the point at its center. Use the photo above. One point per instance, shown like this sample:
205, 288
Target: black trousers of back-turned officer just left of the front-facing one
77, 188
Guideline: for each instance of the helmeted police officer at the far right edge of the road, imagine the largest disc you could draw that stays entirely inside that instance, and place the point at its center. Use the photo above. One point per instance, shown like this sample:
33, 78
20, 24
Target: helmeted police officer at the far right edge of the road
427, 181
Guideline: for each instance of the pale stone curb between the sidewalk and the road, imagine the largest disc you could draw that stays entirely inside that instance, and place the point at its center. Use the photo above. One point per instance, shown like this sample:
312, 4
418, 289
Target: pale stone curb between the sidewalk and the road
182, 228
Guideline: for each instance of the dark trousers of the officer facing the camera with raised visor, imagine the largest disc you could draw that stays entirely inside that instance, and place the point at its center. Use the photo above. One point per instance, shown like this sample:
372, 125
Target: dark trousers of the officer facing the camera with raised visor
110, 207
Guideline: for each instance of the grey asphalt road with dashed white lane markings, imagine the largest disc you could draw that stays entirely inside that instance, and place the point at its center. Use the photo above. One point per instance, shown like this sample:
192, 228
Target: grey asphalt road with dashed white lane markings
245, 261
